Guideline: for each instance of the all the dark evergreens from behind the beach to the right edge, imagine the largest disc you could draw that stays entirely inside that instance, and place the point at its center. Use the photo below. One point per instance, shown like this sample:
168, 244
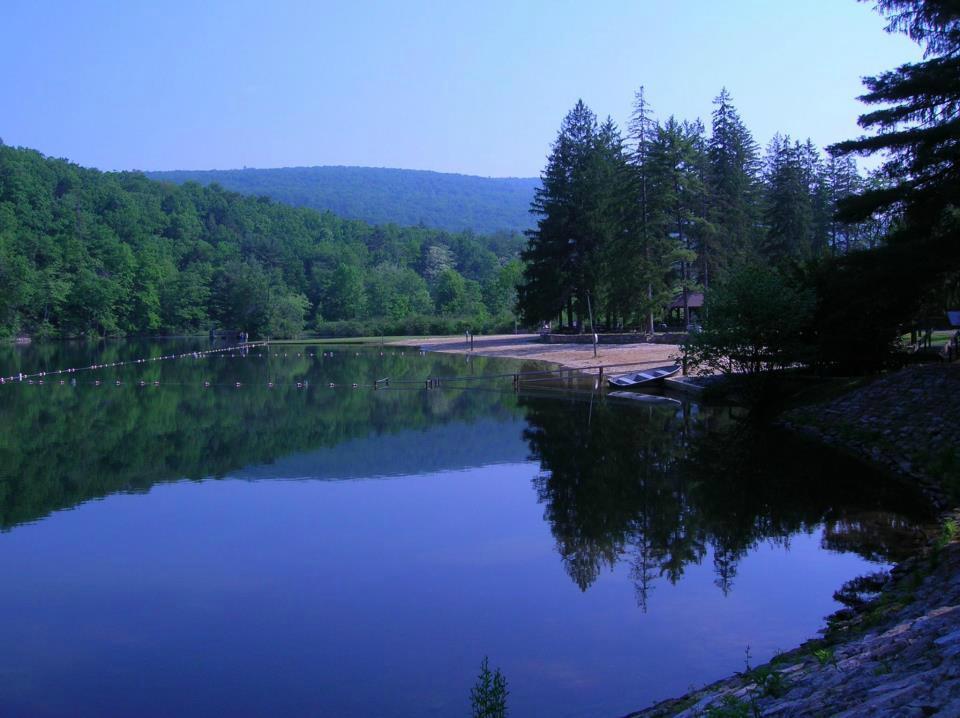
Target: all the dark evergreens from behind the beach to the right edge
805, 259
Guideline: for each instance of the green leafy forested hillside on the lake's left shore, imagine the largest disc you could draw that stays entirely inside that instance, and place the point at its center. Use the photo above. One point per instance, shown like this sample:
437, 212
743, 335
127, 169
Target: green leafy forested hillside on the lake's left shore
84, 252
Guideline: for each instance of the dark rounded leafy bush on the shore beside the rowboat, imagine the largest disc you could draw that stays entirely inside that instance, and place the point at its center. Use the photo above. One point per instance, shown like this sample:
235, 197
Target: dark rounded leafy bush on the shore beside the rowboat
754, 322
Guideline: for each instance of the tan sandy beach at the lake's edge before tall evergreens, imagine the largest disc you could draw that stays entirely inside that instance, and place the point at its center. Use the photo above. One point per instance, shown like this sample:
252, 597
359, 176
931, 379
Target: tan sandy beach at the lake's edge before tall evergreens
572, 356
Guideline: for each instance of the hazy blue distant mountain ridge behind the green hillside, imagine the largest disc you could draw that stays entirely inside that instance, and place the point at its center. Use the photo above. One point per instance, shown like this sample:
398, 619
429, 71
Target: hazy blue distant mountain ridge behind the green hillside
377, 195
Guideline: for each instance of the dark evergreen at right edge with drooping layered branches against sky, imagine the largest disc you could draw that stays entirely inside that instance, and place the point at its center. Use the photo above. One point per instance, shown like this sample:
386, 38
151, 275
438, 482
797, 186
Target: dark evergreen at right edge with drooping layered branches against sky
868, 298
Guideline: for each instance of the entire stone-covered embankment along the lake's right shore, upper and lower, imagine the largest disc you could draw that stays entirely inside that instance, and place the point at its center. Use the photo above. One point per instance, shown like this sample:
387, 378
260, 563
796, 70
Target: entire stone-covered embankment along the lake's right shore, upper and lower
897, 654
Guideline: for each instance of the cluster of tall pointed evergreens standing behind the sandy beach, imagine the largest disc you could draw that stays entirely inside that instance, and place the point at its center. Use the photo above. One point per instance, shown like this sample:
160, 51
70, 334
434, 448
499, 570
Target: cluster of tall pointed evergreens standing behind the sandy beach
633, 221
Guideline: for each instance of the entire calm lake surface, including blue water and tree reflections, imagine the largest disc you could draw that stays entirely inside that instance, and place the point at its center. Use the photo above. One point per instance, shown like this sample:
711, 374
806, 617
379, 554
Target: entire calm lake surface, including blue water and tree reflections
181, 550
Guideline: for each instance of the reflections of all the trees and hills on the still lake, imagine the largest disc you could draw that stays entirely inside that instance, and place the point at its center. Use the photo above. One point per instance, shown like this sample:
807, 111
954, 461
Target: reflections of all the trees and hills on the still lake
660, 486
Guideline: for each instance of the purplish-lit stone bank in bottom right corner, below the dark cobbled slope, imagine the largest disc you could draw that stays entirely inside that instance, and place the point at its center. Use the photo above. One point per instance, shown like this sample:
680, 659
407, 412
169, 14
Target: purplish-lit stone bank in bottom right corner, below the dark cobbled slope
898, 655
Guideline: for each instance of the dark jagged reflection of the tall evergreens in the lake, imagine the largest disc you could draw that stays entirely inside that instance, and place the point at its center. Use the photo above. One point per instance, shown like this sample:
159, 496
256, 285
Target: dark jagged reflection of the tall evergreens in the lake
663, 485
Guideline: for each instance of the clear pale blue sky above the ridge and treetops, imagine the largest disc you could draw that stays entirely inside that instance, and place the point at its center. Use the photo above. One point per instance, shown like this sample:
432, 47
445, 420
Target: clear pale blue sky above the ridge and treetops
472, 87
